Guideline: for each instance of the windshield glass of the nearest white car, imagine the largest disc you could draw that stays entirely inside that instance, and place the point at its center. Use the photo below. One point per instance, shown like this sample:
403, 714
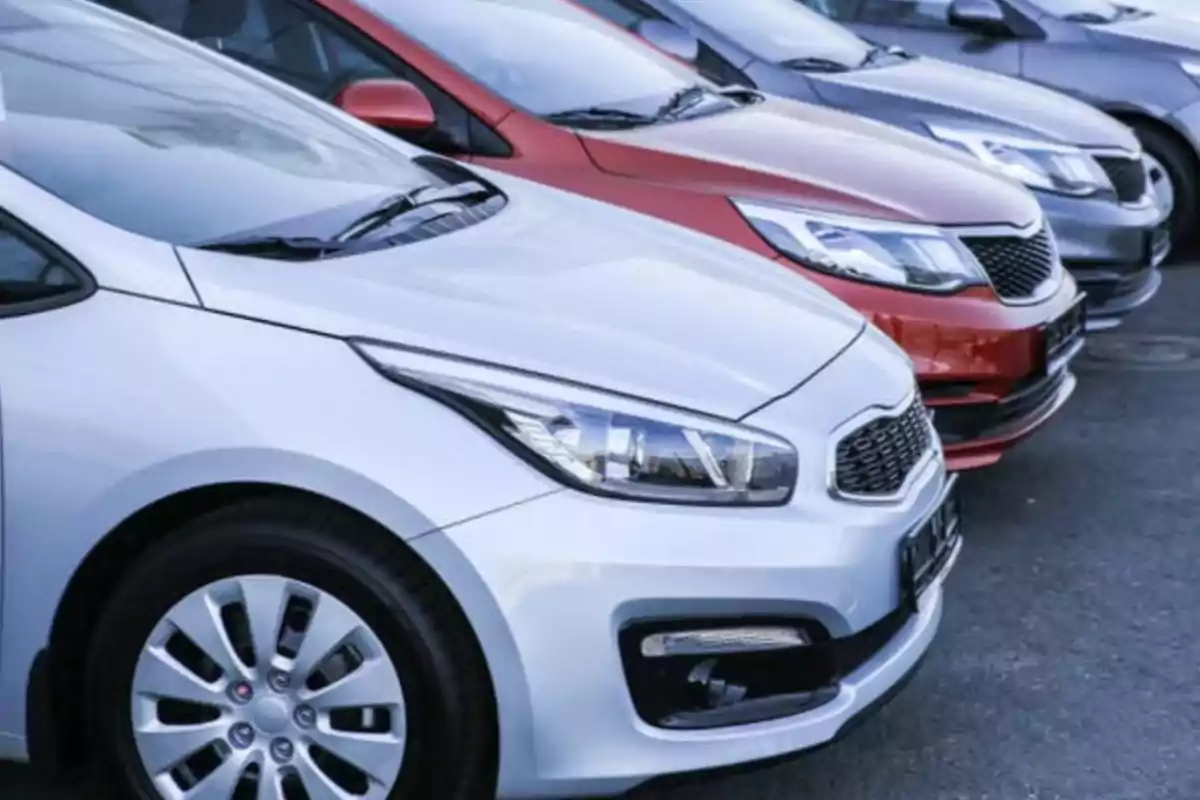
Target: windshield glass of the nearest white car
164, 140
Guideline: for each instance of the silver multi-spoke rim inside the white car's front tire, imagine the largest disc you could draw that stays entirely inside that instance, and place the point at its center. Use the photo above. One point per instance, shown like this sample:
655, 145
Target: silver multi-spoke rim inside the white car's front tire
261, 688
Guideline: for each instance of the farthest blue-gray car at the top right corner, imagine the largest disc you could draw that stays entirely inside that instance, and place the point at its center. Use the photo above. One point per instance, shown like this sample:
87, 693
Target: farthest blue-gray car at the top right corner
1142, 68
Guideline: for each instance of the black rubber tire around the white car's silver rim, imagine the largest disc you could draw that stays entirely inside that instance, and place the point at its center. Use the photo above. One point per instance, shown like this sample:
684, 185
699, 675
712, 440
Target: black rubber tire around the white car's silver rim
451, 751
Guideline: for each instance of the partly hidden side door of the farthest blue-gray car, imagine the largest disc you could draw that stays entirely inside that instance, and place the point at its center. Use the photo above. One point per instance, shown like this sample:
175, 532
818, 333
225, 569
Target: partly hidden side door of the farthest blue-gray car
923, 27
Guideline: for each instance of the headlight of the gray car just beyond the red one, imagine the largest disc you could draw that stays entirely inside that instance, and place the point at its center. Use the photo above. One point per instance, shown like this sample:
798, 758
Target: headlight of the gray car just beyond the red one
1039, 165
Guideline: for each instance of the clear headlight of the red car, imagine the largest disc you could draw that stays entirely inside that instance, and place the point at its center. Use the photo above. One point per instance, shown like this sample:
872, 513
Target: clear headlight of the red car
921, 258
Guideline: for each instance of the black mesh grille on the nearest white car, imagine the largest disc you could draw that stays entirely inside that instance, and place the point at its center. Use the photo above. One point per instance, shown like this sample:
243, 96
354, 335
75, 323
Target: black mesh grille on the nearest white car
877, 459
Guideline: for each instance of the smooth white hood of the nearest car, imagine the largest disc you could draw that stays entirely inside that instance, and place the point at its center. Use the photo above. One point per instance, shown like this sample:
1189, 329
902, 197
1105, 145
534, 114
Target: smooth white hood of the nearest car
565, 287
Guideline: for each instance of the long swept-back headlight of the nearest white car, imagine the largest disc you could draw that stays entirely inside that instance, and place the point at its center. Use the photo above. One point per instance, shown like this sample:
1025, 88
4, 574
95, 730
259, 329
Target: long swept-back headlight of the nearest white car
604, 443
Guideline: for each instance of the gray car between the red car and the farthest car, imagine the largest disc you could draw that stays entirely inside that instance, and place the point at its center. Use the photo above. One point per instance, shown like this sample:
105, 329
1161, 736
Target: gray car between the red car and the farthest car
1085, 169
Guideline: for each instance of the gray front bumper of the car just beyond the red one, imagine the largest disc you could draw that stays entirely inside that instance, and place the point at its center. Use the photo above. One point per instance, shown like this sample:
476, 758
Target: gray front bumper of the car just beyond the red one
1113, 251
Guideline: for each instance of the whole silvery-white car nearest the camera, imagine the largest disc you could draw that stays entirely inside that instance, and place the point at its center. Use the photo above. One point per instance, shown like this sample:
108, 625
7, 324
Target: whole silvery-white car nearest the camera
334, 470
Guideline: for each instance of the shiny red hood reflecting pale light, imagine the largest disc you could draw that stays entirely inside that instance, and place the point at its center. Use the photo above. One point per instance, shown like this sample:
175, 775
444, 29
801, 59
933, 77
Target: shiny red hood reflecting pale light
820, 159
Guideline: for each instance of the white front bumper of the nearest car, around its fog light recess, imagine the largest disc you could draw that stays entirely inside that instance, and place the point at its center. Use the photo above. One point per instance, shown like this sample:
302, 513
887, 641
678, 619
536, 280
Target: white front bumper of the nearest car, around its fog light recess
569, 573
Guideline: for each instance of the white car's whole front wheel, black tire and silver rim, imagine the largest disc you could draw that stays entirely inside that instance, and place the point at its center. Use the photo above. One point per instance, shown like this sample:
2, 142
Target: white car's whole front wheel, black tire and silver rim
268, 653
